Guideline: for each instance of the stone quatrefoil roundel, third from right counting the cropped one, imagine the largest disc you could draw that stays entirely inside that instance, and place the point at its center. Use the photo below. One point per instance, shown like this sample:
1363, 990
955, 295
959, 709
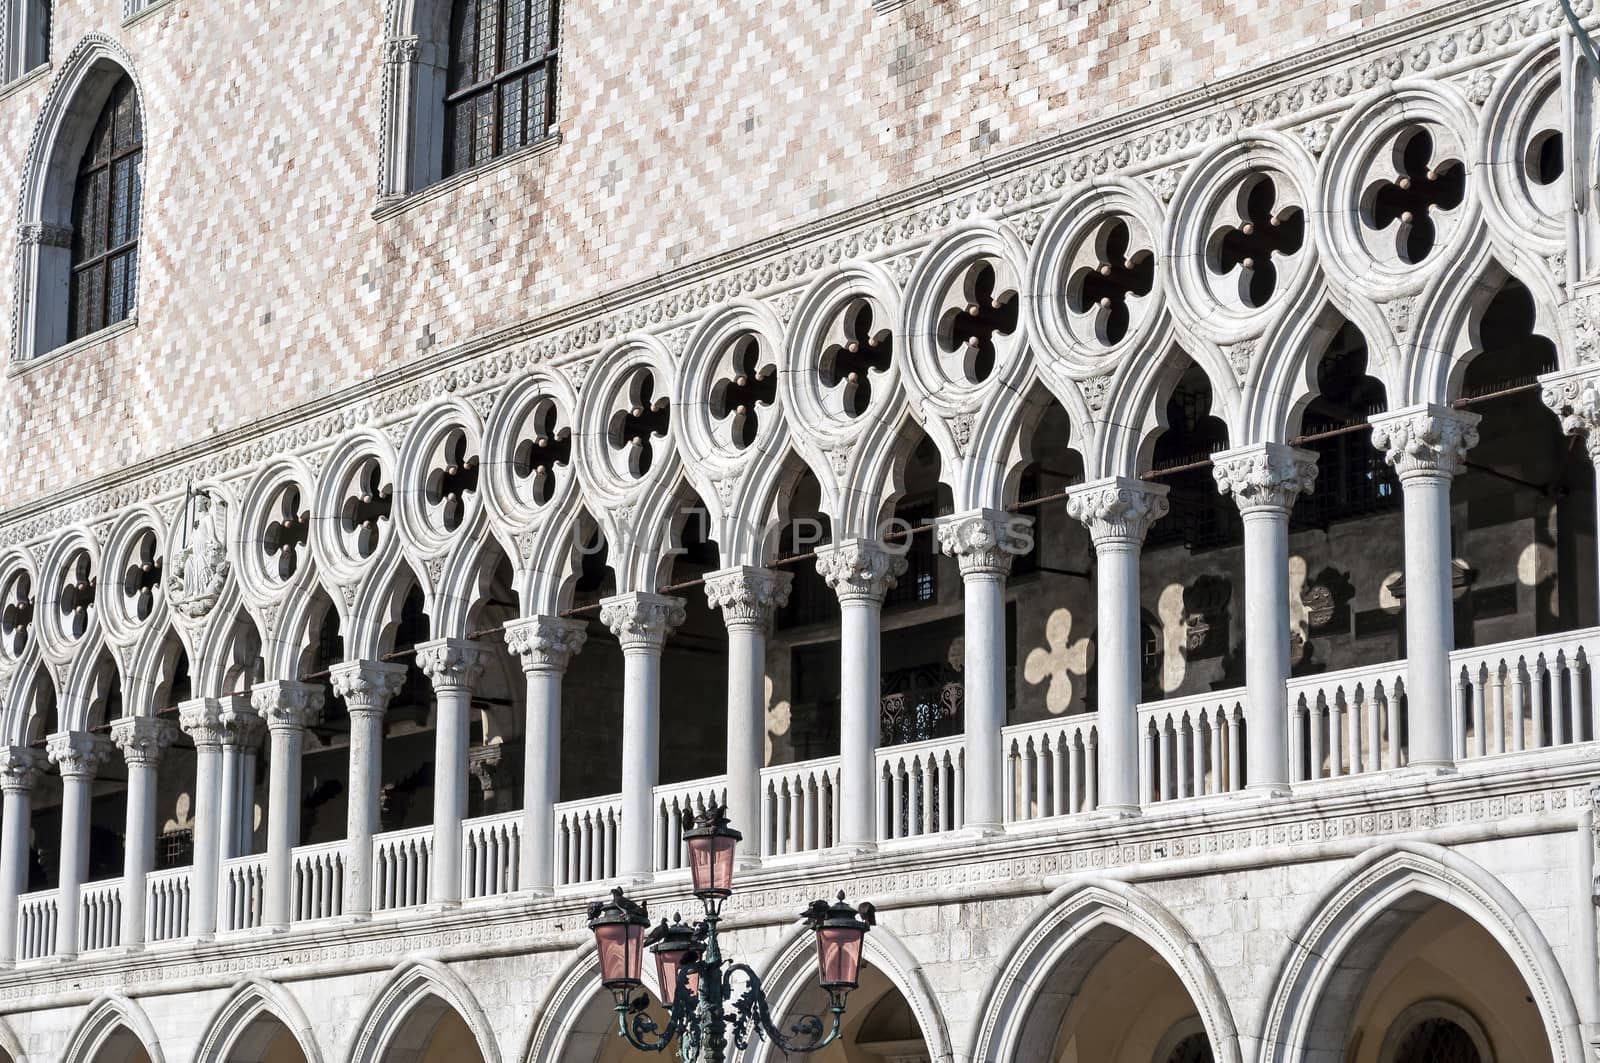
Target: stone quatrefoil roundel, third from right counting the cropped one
1241, 241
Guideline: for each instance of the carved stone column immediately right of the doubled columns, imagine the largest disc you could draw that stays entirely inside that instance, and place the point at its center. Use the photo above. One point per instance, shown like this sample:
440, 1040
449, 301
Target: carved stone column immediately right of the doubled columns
289, 708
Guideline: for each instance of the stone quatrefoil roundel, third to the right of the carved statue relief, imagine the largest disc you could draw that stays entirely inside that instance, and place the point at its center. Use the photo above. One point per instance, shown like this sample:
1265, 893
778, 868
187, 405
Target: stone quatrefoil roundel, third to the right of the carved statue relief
441, 476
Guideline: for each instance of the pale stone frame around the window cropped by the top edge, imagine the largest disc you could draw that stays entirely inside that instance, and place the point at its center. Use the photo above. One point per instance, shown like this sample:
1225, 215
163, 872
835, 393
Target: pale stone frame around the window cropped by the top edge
417, 82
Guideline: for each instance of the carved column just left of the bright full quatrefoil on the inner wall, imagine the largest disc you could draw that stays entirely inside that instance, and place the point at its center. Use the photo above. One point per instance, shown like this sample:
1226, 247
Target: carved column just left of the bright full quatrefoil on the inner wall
985, 542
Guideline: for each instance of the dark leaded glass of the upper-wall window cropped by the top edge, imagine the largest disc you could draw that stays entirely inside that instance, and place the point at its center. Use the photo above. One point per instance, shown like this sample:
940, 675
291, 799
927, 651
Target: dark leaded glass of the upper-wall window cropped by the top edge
502, 87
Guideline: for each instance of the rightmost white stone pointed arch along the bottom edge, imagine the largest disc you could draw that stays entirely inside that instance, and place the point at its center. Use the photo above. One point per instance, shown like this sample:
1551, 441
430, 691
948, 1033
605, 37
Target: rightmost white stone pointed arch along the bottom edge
1369, 902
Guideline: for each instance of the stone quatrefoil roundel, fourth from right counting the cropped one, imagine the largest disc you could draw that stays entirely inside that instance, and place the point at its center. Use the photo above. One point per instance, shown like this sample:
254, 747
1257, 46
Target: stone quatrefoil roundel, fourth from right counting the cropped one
1095, 275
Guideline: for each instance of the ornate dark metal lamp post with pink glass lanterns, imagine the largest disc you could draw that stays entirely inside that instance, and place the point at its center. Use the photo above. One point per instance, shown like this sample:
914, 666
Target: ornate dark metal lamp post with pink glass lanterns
711, 998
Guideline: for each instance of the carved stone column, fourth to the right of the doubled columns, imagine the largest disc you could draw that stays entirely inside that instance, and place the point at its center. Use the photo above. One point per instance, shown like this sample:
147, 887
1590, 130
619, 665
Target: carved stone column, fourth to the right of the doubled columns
546, 648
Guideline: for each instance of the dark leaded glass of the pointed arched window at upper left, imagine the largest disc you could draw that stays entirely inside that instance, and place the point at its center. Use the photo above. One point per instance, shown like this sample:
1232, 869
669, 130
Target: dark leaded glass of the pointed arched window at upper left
106, 219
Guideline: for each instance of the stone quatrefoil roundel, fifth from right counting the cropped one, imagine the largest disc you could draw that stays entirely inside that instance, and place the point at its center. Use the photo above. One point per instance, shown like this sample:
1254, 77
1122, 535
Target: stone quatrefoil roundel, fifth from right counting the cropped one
966, 311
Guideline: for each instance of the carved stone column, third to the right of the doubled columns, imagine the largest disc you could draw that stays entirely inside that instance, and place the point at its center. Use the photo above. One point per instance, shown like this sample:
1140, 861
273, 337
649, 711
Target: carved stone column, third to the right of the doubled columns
454, 667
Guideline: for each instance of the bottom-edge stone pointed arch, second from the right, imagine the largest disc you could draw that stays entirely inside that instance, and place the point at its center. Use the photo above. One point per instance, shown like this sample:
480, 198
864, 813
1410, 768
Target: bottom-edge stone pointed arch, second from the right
1065, 937
